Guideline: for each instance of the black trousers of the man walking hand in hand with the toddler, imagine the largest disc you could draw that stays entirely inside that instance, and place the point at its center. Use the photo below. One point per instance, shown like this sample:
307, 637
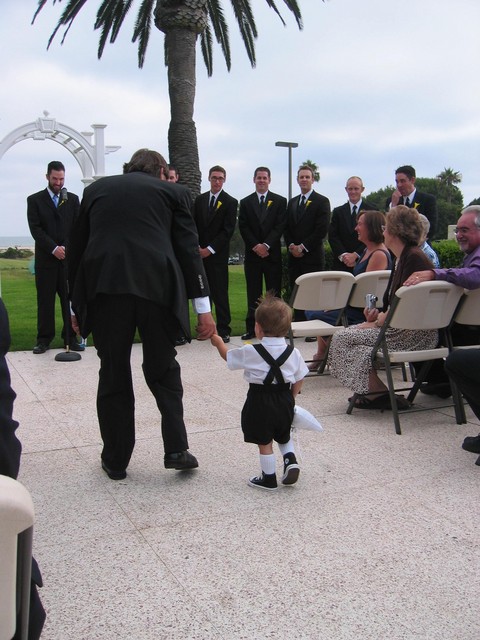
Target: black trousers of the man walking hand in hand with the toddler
115, 319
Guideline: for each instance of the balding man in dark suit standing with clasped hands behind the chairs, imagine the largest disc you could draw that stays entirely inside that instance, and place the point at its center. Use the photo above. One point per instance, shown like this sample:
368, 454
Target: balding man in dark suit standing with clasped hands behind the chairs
343, 238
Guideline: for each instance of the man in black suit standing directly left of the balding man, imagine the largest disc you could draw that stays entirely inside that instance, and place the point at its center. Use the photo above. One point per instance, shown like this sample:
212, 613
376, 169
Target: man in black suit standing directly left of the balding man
308, 218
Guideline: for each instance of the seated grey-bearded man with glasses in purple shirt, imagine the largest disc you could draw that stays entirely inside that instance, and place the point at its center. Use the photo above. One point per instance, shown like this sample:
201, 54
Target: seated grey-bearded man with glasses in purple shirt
467, 276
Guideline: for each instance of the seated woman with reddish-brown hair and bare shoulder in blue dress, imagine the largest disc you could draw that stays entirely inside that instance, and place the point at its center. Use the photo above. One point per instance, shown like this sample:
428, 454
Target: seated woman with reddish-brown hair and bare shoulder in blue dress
375, 257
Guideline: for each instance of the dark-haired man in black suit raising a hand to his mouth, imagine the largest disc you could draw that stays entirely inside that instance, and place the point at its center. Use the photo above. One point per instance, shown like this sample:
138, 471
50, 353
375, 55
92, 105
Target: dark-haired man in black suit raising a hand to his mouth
407, 194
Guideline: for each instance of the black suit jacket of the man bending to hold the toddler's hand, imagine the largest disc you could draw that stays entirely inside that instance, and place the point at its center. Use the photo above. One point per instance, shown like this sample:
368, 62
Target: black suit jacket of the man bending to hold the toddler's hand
135, 235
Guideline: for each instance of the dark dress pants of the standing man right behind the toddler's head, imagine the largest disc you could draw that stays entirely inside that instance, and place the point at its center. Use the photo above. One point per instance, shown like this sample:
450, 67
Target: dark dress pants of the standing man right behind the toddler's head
255, 271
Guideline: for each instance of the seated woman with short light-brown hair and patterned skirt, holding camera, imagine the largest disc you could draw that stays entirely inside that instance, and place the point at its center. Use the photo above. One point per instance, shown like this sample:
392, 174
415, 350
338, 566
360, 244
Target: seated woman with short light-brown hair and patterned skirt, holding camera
350, 356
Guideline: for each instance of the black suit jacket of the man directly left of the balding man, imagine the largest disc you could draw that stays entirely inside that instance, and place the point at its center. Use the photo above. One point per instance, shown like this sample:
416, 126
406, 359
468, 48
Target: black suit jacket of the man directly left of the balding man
311, 229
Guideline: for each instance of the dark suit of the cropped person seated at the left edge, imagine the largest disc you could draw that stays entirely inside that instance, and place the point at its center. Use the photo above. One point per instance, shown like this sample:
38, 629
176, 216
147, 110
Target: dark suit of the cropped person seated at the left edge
10, 450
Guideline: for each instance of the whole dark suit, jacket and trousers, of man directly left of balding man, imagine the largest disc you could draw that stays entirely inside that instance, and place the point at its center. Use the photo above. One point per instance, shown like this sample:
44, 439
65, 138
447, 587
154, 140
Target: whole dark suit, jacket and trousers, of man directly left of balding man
308, 227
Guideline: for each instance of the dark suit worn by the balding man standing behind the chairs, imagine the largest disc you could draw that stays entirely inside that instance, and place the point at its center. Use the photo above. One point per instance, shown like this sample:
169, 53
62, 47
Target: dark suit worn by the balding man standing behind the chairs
342, 235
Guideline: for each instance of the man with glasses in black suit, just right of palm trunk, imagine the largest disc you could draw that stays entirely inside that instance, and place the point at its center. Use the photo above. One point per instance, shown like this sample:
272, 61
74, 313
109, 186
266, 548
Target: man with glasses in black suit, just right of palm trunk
215, 214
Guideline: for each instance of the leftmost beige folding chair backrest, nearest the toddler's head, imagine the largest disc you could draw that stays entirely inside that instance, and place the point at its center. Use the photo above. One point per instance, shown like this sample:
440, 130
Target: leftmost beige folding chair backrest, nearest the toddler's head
322, 290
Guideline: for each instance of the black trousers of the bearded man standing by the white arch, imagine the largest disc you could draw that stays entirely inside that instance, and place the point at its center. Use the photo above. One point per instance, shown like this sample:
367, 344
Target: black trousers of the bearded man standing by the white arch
51, 282
